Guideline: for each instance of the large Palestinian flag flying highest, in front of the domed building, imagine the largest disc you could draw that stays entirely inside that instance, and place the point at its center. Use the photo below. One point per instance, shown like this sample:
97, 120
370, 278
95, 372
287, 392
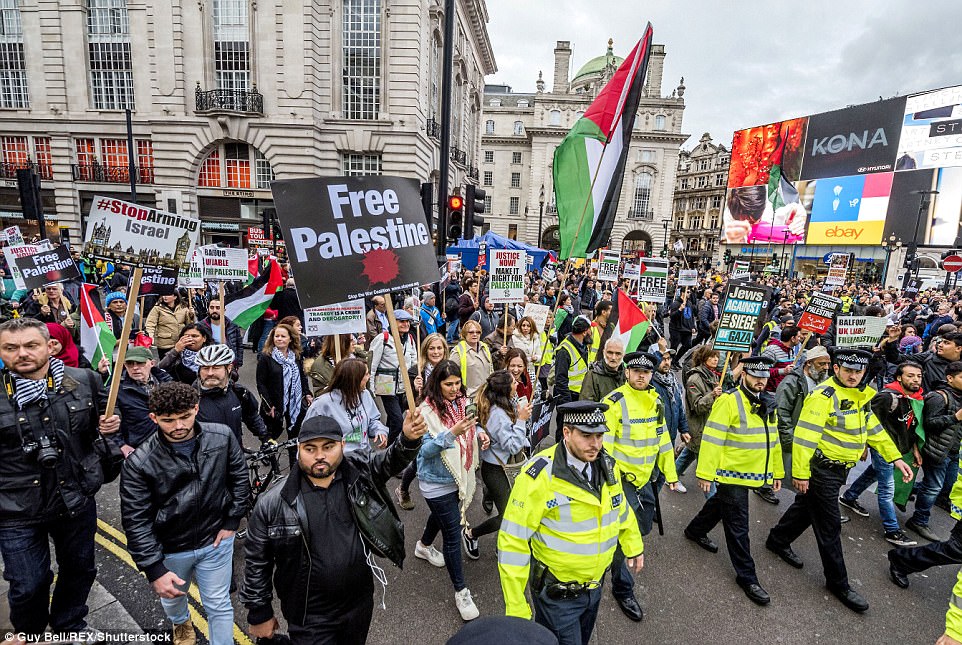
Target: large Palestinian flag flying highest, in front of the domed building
589, 165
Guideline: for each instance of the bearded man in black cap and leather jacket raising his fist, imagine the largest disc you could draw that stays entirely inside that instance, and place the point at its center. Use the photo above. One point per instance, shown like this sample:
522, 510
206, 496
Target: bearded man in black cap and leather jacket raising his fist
314, 535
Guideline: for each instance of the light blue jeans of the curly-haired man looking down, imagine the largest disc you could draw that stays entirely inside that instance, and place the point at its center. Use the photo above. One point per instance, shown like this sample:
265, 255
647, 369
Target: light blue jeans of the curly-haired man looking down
212, 568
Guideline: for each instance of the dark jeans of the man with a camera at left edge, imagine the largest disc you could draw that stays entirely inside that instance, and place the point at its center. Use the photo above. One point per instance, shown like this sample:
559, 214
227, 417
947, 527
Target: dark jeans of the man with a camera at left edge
26, 567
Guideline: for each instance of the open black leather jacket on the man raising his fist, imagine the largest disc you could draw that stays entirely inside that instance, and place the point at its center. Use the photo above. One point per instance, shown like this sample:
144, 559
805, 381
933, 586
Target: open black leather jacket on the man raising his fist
276, 551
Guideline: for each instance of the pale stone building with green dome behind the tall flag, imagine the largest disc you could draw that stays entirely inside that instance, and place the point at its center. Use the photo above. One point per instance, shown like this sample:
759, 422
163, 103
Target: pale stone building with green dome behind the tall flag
520, 132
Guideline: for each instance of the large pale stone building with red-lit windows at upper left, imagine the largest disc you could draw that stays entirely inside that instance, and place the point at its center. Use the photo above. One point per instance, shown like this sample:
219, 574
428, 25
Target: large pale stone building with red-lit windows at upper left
227, 95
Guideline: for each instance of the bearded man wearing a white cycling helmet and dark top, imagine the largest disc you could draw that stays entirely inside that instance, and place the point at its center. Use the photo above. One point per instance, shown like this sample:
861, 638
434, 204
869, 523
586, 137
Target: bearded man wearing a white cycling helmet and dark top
221, 399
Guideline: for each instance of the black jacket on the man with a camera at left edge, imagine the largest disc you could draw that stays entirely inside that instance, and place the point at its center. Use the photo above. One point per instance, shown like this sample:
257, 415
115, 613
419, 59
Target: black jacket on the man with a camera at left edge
29, 493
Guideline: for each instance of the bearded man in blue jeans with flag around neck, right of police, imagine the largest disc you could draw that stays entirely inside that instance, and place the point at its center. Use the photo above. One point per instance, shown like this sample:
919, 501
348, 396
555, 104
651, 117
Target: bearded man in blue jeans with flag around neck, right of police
898, 408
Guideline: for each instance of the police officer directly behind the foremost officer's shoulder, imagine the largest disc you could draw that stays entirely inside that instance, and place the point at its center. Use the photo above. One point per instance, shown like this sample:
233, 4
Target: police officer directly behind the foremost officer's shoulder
637, 441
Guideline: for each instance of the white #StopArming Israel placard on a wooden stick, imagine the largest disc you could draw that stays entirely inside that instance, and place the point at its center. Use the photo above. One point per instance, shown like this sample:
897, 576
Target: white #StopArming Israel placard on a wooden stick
139, 235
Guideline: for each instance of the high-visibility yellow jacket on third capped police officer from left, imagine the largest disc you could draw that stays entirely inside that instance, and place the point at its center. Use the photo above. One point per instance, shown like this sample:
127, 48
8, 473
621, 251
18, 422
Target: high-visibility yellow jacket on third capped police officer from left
740, 446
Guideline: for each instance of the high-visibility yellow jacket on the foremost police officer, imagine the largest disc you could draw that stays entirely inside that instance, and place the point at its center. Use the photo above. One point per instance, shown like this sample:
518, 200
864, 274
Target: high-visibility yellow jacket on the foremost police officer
554, 517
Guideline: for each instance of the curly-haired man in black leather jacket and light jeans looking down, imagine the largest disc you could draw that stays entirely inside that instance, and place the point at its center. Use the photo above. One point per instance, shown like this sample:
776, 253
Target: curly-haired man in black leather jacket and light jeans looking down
183, 493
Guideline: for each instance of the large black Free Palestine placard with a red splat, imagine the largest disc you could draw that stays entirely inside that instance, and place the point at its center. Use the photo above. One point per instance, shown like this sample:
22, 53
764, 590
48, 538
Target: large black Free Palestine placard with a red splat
354, 237
